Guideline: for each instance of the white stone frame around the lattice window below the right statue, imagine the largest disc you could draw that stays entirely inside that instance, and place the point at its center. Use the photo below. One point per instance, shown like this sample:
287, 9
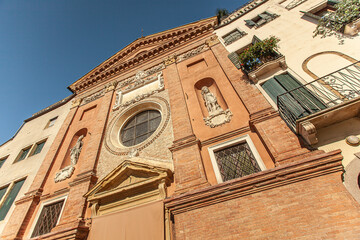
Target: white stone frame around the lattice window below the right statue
246, 138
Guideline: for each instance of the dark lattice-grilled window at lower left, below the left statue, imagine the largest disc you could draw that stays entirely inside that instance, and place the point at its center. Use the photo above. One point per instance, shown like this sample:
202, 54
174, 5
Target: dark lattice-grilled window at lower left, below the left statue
48, 218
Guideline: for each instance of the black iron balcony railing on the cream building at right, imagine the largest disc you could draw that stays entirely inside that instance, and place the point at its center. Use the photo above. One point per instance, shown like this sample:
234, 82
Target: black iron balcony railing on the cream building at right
323, 93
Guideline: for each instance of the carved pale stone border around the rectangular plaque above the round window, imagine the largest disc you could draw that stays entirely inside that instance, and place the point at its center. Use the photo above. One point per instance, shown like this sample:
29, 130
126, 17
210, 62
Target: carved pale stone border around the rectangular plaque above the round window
138, 83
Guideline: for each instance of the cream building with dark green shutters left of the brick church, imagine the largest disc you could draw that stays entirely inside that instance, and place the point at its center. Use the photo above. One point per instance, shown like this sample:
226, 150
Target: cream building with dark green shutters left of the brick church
22, 155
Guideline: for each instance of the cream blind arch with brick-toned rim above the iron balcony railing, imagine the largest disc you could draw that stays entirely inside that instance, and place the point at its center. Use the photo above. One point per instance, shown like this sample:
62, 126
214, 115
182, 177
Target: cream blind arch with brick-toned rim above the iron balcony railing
323, 63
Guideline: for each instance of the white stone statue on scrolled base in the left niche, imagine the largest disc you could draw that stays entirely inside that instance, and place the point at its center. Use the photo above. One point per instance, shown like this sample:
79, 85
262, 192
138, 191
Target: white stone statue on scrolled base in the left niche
67, 172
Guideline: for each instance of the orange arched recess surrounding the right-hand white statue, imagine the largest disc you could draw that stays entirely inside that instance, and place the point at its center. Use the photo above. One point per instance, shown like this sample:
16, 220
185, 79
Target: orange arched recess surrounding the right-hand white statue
211, 84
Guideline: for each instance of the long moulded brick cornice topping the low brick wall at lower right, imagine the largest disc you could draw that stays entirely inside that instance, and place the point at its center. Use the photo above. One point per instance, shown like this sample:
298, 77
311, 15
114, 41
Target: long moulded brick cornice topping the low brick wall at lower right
311, 167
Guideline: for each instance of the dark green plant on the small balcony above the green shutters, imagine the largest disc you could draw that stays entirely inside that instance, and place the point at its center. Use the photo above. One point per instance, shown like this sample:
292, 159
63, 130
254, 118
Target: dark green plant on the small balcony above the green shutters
259, 53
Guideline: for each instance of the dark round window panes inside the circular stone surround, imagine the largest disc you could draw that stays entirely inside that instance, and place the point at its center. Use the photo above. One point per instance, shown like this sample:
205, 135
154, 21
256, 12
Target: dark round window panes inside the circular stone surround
140, 127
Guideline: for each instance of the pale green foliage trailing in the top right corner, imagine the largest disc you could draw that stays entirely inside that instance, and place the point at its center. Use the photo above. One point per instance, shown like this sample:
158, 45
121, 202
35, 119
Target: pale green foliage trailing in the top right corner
346, 12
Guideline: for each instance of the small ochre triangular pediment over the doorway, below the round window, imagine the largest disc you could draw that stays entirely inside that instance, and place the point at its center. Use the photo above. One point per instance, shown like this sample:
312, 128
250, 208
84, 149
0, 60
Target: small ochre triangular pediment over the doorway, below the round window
128, 176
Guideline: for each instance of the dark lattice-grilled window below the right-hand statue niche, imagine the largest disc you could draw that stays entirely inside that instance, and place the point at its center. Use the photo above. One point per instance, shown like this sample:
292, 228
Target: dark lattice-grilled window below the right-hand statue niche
236, 161
